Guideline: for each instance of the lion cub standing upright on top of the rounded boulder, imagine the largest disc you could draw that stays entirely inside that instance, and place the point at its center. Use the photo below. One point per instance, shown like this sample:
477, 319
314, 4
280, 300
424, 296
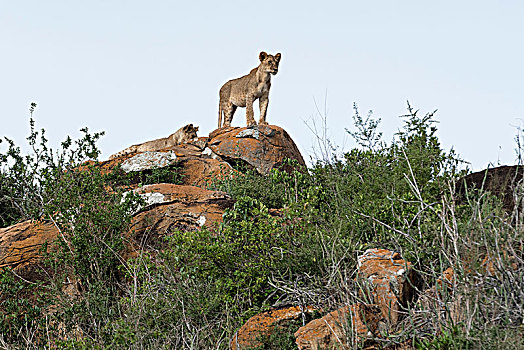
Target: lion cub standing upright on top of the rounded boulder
242, 92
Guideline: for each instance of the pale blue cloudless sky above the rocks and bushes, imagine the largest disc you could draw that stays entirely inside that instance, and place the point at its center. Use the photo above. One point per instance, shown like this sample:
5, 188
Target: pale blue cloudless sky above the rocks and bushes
141, 69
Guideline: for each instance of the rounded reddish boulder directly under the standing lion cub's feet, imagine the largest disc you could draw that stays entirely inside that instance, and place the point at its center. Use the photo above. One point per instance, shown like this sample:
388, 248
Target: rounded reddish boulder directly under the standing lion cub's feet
263, 147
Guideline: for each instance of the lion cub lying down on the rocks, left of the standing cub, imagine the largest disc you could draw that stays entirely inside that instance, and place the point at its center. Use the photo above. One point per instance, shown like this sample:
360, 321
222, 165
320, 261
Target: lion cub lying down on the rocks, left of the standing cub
183, 135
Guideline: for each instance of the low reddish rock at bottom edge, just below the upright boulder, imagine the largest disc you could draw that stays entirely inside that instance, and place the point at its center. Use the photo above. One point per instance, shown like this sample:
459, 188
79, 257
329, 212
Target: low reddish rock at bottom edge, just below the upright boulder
341, 329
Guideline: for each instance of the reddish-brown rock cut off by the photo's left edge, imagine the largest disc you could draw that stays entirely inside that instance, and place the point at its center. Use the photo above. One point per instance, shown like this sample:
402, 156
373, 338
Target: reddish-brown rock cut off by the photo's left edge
20, 245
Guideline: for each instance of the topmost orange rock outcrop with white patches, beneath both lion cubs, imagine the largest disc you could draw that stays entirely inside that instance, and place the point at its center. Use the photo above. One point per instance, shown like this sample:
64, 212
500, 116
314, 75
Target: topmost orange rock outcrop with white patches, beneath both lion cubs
221, 154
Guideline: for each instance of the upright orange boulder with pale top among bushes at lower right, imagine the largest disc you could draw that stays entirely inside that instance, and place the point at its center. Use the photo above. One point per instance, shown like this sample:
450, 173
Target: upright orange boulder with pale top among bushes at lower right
392, 281
